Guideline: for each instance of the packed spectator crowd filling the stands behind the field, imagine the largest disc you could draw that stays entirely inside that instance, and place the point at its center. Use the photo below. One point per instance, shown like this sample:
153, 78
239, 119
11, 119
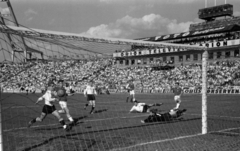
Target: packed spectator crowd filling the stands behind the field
35, 75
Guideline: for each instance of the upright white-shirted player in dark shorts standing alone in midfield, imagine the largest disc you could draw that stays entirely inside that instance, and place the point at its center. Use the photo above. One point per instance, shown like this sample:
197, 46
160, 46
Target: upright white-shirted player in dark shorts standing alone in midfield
90, 93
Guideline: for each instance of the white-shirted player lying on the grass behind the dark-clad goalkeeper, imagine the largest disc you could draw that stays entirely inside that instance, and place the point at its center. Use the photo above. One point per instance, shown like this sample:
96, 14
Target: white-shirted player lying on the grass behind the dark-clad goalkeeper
142, 107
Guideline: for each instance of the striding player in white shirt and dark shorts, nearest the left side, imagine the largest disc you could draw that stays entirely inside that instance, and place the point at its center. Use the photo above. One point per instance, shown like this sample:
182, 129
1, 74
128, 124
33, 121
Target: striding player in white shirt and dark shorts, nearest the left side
49, 108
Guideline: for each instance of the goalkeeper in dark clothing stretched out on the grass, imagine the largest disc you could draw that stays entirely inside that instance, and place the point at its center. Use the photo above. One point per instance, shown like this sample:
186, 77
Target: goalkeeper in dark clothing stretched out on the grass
168, 116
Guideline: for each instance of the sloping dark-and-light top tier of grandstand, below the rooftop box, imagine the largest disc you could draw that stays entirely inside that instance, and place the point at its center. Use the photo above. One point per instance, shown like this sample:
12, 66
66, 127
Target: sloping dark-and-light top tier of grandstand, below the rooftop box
192, 33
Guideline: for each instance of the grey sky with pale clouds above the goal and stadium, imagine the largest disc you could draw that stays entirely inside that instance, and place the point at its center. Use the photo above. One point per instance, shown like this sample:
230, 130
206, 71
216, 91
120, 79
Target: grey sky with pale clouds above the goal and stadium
128, 19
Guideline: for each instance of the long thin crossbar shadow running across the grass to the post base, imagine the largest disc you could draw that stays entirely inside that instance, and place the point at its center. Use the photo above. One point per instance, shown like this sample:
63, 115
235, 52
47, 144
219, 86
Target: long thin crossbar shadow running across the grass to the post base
69, 136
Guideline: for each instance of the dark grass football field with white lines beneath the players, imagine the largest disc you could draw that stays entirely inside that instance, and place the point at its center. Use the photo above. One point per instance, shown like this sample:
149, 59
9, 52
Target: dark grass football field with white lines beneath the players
111, 127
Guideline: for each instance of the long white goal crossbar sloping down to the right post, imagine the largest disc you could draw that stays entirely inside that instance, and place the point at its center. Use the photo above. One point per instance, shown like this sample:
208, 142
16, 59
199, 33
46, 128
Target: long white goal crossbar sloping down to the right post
74, 38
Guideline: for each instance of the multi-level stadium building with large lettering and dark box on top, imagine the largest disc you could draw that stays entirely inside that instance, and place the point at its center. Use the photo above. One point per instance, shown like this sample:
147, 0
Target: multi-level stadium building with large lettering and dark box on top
220, 33
